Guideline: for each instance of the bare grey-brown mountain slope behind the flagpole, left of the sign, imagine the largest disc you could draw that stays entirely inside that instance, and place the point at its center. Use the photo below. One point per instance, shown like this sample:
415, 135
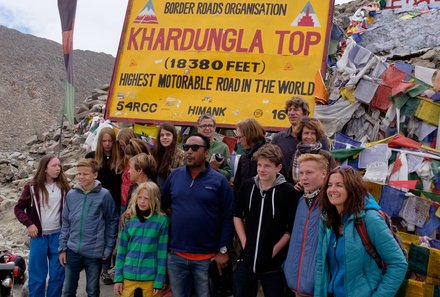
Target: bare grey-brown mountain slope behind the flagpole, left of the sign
32, 82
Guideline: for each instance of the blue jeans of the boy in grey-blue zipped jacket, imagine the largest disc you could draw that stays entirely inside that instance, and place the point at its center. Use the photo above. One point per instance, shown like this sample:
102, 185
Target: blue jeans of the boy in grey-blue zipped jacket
74, 264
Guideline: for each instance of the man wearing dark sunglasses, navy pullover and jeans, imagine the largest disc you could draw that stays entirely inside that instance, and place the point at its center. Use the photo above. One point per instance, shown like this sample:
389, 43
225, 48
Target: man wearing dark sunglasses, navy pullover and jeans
201, 228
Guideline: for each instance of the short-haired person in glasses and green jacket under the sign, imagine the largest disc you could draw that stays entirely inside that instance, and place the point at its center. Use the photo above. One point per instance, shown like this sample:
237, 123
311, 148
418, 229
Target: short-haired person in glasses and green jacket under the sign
218, 156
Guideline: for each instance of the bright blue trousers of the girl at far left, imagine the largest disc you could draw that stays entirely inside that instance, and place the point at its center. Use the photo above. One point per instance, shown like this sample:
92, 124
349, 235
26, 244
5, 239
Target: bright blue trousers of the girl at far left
43, 257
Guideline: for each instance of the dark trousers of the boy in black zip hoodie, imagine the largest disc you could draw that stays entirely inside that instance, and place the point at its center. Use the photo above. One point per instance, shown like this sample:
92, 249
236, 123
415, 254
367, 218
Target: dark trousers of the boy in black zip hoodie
245, 282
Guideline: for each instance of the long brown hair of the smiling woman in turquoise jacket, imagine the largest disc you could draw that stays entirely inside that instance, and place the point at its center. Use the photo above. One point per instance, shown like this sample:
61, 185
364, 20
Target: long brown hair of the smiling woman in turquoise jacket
356, 192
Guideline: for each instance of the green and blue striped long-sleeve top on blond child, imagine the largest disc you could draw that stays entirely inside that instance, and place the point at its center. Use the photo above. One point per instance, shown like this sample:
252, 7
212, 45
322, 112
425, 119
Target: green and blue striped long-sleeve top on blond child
142, 250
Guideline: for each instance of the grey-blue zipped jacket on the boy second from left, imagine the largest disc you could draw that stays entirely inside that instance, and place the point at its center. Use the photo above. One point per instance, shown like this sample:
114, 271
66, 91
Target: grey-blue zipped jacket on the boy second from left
90, 222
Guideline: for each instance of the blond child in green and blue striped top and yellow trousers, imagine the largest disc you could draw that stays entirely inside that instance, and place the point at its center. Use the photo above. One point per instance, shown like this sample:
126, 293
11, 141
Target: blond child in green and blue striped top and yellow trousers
142, 249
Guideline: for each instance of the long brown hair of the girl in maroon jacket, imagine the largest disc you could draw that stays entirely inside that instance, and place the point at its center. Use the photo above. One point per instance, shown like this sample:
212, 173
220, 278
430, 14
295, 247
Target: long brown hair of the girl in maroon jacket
39, 179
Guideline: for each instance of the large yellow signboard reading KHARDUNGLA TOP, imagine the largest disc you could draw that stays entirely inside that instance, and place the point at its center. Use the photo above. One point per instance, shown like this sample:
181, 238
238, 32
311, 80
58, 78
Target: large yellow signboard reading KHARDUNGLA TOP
232, 59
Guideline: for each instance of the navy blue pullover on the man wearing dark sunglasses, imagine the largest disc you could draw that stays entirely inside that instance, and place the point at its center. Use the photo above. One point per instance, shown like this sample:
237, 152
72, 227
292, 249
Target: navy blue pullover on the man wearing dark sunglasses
201, 210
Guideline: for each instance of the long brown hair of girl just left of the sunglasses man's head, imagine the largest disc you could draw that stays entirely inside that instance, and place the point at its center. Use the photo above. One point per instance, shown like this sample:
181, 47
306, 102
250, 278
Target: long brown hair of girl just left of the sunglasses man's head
164, 155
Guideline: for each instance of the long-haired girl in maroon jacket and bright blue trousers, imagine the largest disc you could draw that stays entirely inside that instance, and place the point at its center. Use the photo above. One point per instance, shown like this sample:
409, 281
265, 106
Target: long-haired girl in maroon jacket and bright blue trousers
39, 209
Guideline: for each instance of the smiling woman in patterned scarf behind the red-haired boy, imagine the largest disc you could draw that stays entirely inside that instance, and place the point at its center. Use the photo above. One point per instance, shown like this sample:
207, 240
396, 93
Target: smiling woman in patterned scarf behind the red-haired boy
308, 132
